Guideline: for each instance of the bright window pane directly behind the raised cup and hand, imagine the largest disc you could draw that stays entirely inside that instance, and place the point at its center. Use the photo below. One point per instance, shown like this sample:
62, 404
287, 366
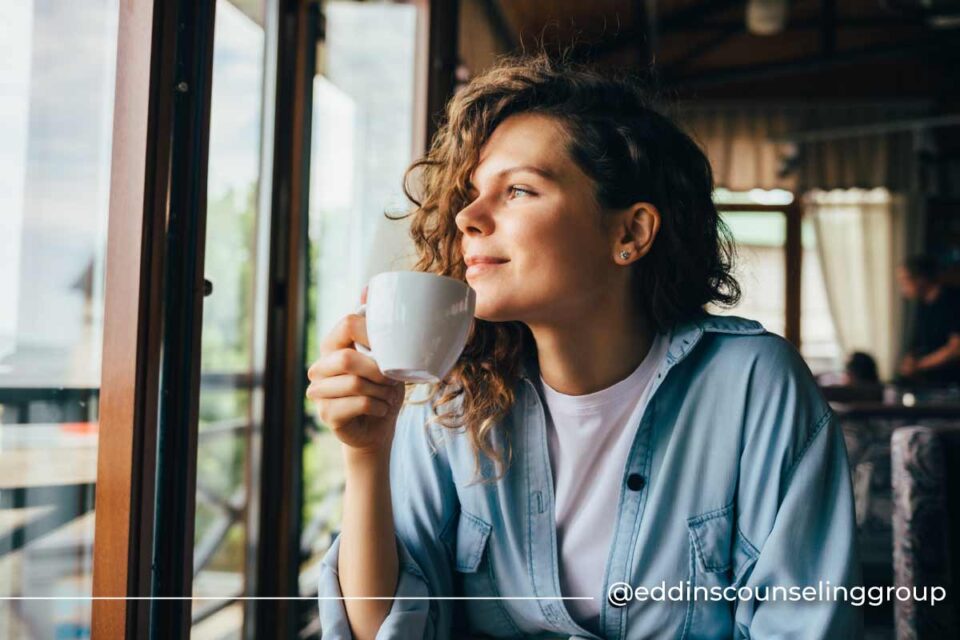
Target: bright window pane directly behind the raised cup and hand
362, 142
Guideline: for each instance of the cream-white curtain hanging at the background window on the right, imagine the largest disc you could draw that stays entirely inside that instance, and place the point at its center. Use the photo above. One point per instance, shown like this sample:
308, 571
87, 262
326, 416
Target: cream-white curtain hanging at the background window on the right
860, 241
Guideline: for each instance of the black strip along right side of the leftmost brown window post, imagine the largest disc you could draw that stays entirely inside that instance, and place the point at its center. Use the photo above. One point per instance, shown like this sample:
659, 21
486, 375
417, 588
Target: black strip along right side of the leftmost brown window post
183, 293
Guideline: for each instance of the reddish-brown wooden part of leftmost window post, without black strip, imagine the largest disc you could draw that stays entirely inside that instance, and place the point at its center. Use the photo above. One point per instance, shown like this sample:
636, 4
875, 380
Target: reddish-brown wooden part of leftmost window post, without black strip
132, 312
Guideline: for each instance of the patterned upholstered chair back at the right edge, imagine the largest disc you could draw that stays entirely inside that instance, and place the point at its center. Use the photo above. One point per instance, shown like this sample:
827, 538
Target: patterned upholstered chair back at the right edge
925, 469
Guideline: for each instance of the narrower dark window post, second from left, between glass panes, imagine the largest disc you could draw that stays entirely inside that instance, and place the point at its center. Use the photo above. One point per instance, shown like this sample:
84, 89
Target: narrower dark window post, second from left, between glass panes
280, 479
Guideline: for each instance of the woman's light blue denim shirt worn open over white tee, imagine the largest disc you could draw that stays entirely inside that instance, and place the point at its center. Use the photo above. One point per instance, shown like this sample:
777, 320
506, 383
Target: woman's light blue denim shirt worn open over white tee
743, 482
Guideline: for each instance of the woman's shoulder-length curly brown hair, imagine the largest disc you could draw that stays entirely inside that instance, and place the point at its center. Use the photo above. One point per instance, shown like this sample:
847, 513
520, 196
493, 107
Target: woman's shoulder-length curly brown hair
631, 151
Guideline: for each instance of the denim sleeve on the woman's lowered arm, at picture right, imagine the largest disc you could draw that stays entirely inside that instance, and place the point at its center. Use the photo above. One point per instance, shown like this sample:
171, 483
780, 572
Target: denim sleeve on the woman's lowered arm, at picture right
796, 526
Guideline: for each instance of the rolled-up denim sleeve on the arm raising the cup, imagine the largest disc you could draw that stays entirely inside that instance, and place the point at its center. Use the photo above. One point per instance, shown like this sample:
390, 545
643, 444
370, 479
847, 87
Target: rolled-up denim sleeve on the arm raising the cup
424, 502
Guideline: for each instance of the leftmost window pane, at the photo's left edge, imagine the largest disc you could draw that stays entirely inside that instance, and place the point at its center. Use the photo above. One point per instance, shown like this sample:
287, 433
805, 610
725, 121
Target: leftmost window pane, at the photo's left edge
57, 70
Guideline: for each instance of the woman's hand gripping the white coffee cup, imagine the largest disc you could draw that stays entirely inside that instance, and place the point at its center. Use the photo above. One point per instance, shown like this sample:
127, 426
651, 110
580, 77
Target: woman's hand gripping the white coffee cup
352, 397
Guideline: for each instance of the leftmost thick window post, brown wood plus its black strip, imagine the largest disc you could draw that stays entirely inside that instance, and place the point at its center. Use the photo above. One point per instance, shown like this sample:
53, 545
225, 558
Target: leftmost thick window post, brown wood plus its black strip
153, 296
